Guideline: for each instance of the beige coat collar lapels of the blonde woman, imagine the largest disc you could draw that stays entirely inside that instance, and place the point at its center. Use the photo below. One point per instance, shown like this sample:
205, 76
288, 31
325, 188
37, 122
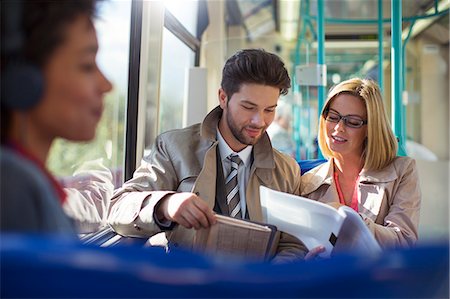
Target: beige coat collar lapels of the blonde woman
323, 174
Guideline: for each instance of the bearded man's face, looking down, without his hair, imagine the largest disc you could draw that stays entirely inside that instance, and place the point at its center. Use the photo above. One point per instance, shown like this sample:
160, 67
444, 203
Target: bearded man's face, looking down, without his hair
247, 114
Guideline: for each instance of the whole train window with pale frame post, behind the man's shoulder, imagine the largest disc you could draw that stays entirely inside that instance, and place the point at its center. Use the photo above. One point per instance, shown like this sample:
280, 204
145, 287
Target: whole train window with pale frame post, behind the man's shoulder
169, 50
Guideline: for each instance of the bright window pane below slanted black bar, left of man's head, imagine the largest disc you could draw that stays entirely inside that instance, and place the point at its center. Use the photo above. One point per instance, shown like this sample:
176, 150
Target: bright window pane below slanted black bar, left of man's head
177, 58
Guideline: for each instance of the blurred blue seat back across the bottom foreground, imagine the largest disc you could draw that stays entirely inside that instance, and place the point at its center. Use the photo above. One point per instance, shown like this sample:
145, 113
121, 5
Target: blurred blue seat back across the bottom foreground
42, 267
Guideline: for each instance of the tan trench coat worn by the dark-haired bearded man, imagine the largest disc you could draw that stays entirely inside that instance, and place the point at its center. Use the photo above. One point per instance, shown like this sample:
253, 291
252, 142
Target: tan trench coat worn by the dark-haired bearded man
185, 161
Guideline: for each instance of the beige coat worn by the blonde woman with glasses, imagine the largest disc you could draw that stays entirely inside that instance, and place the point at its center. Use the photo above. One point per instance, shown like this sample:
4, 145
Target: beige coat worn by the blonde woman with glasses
389, 199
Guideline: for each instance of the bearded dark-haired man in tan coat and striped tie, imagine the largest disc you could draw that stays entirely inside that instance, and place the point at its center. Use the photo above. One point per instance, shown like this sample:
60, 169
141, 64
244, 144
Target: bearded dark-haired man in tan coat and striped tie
180, 186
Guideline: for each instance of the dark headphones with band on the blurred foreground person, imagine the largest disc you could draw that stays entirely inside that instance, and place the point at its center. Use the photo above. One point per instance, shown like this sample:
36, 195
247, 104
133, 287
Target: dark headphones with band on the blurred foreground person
22, 83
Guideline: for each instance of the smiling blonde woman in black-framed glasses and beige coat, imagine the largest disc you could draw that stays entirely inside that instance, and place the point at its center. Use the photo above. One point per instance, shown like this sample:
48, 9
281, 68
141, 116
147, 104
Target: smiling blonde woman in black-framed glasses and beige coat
363, 170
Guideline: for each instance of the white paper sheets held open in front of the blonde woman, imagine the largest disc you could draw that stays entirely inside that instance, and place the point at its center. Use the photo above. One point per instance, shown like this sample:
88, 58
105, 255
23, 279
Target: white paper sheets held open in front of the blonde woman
316, 223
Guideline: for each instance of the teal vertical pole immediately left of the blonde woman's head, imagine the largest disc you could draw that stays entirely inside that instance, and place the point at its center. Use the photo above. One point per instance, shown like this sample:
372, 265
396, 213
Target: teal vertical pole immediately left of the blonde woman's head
320, 57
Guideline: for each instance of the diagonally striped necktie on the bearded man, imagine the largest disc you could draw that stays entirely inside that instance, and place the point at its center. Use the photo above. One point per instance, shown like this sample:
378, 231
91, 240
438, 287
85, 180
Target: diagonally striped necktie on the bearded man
232, 188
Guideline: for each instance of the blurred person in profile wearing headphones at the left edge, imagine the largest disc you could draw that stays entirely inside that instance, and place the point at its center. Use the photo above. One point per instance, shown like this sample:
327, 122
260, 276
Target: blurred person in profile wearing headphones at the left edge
51, 87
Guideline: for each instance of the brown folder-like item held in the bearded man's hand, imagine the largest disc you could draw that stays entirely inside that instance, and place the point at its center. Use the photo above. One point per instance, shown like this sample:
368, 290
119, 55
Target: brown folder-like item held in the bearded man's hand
236, 237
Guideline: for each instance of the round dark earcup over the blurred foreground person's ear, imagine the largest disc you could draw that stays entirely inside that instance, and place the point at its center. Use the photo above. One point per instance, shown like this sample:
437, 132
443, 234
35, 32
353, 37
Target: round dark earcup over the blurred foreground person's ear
22, 86
